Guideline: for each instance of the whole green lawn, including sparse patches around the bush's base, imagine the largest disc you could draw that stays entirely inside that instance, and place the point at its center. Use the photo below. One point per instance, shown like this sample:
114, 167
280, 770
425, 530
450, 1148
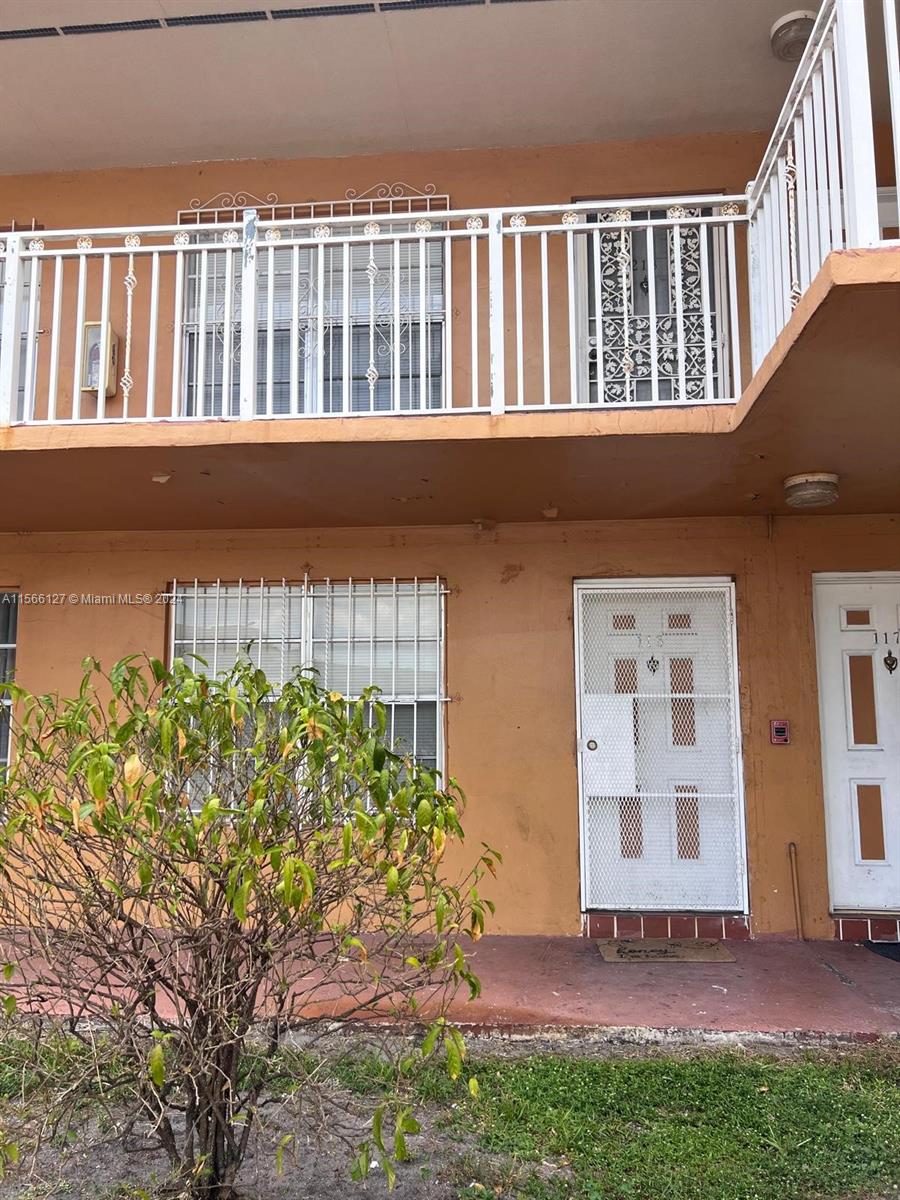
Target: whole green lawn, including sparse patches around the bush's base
622, 1127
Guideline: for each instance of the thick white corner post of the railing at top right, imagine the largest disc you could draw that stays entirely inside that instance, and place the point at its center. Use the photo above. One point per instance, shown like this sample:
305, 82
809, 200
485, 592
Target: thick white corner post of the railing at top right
856, 124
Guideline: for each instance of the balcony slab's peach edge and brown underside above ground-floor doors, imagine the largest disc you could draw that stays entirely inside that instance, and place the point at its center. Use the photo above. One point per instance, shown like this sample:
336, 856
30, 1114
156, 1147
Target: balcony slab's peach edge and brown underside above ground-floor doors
826, 399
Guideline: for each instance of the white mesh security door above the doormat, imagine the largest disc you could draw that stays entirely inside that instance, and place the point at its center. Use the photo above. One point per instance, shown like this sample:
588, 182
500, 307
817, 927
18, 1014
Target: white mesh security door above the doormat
662, 815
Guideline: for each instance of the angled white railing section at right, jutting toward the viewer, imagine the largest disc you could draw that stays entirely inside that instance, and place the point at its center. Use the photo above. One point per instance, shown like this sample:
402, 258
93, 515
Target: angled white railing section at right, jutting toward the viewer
817, 190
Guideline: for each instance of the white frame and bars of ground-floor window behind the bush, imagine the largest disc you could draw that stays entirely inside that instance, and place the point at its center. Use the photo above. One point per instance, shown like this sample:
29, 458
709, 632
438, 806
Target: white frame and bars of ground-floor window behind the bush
310, 590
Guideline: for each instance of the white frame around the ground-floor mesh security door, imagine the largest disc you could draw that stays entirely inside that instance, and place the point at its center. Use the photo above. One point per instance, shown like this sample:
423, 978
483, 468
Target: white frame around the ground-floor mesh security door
659, 584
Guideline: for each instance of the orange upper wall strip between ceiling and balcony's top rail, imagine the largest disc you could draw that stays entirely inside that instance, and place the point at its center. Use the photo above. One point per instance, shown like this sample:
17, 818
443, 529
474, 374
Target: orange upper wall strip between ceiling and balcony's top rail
472, 178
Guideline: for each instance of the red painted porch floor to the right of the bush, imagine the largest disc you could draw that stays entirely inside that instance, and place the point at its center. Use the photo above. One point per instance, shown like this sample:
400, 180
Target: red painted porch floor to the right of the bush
835, 989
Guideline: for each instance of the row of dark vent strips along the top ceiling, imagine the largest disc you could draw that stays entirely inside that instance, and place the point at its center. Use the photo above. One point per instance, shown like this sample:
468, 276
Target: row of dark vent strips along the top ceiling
232, 19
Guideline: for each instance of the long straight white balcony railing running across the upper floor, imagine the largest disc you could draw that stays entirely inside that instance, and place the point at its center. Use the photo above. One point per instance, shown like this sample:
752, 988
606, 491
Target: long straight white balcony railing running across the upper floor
616, 304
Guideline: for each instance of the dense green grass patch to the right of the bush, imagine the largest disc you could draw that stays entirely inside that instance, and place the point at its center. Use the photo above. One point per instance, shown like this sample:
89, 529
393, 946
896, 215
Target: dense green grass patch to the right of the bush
723, 1127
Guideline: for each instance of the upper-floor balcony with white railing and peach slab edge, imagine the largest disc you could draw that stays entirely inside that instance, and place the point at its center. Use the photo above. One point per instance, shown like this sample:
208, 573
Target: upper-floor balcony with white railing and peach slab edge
255, 321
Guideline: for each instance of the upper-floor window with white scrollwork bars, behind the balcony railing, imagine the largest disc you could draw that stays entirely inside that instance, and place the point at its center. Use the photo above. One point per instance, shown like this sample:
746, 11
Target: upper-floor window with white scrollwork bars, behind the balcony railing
394, 296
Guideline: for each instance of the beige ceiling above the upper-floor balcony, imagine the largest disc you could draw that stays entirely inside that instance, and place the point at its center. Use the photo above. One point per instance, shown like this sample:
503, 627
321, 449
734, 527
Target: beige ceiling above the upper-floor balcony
405, 77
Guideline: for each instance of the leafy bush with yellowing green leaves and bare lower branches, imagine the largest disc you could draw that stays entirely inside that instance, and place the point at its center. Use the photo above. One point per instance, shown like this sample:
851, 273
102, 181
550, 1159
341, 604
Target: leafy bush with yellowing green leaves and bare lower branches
191, 867
